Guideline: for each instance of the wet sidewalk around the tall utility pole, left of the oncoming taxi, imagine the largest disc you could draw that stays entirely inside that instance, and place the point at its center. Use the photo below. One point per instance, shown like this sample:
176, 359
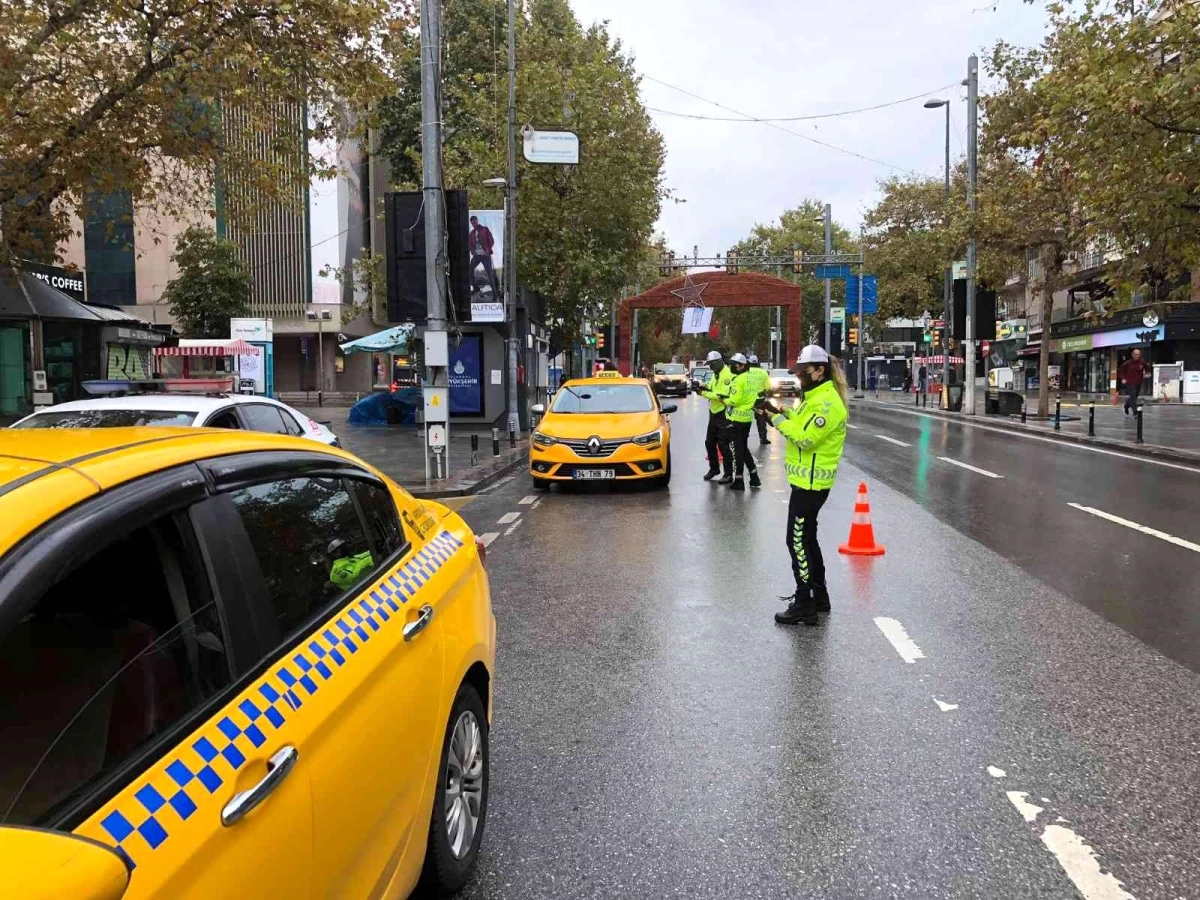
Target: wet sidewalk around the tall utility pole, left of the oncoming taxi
397, 451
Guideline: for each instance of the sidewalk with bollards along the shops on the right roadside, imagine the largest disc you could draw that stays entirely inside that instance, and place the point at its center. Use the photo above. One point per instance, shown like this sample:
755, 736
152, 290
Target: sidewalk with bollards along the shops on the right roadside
1169, 430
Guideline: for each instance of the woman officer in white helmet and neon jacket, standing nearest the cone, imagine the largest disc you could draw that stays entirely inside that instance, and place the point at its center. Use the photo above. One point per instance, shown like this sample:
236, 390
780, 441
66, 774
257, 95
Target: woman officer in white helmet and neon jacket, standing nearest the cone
815, 434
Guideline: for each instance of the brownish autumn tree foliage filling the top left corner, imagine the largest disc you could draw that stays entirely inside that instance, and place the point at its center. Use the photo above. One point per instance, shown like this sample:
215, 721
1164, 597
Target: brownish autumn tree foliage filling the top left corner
99, 97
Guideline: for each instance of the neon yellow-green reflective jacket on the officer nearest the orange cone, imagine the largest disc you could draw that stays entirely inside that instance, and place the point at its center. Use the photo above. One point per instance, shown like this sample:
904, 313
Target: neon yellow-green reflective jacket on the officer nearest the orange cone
817, 434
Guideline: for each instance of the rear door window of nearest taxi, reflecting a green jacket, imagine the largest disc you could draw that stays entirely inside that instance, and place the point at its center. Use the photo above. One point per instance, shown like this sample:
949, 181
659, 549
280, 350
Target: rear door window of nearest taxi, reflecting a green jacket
310, 544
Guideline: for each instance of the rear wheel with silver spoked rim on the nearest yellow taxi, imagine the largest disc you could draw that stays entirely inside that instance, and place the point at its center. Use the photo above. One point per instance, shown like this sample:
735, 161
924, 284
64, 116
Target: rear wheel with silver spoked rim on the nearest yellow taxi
460, 806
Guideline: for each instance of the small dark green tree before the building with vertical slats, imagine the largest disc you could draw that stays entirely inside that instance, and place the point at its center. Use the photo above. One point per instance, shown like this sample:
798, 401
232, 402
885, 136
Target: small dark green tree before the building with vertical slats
213, 286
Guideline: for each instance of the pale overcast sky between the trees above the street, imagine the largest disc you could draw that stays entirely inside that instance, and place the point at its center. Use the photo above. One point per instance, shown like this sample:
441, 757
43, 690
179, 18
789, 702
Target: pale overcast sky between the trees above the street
782, 58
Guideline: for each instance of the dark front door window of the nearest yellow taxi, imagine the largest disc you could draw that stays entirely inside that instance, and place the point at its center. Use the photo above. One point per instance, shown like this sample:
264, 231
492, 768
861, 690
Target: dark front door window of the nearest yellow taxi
105, 663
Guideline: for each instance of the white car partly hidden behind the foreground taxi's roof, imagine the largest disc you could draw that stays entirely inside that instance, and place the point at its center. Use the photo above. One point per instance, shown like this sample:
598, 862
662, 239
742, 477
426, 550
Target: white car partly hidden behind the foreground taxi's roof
199, 411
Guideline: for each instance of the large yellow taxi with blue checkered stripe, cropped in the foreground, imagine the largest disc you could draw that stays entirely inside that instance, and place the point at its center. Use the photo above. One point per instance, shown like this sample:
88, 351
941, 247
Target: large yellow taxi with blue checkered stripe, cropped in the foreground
235, 665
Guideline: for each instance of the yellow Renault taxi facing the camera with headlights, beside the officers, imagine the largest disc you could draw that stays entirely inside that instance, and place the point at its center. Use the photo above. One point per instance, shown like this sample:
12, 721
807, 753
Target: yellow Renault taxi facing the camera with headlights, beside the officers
603, 429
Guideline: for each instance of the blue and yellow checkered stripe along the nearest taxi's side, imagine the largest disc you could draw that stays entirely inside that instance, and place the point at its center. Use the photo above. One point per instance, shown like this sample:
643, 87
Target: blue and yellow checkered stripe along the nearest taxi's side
200, 770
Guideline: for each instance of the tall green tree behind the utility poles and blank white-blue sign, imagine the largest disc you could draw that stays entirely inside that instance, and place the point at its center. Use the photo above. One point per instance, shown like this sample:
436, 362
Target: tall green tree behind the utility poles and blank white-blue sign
583, 230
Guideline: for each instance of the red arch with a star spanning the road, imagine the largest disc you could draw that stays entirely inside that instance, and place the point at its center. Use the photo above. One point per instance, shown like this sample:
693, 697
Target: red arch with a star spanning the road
722, 290
